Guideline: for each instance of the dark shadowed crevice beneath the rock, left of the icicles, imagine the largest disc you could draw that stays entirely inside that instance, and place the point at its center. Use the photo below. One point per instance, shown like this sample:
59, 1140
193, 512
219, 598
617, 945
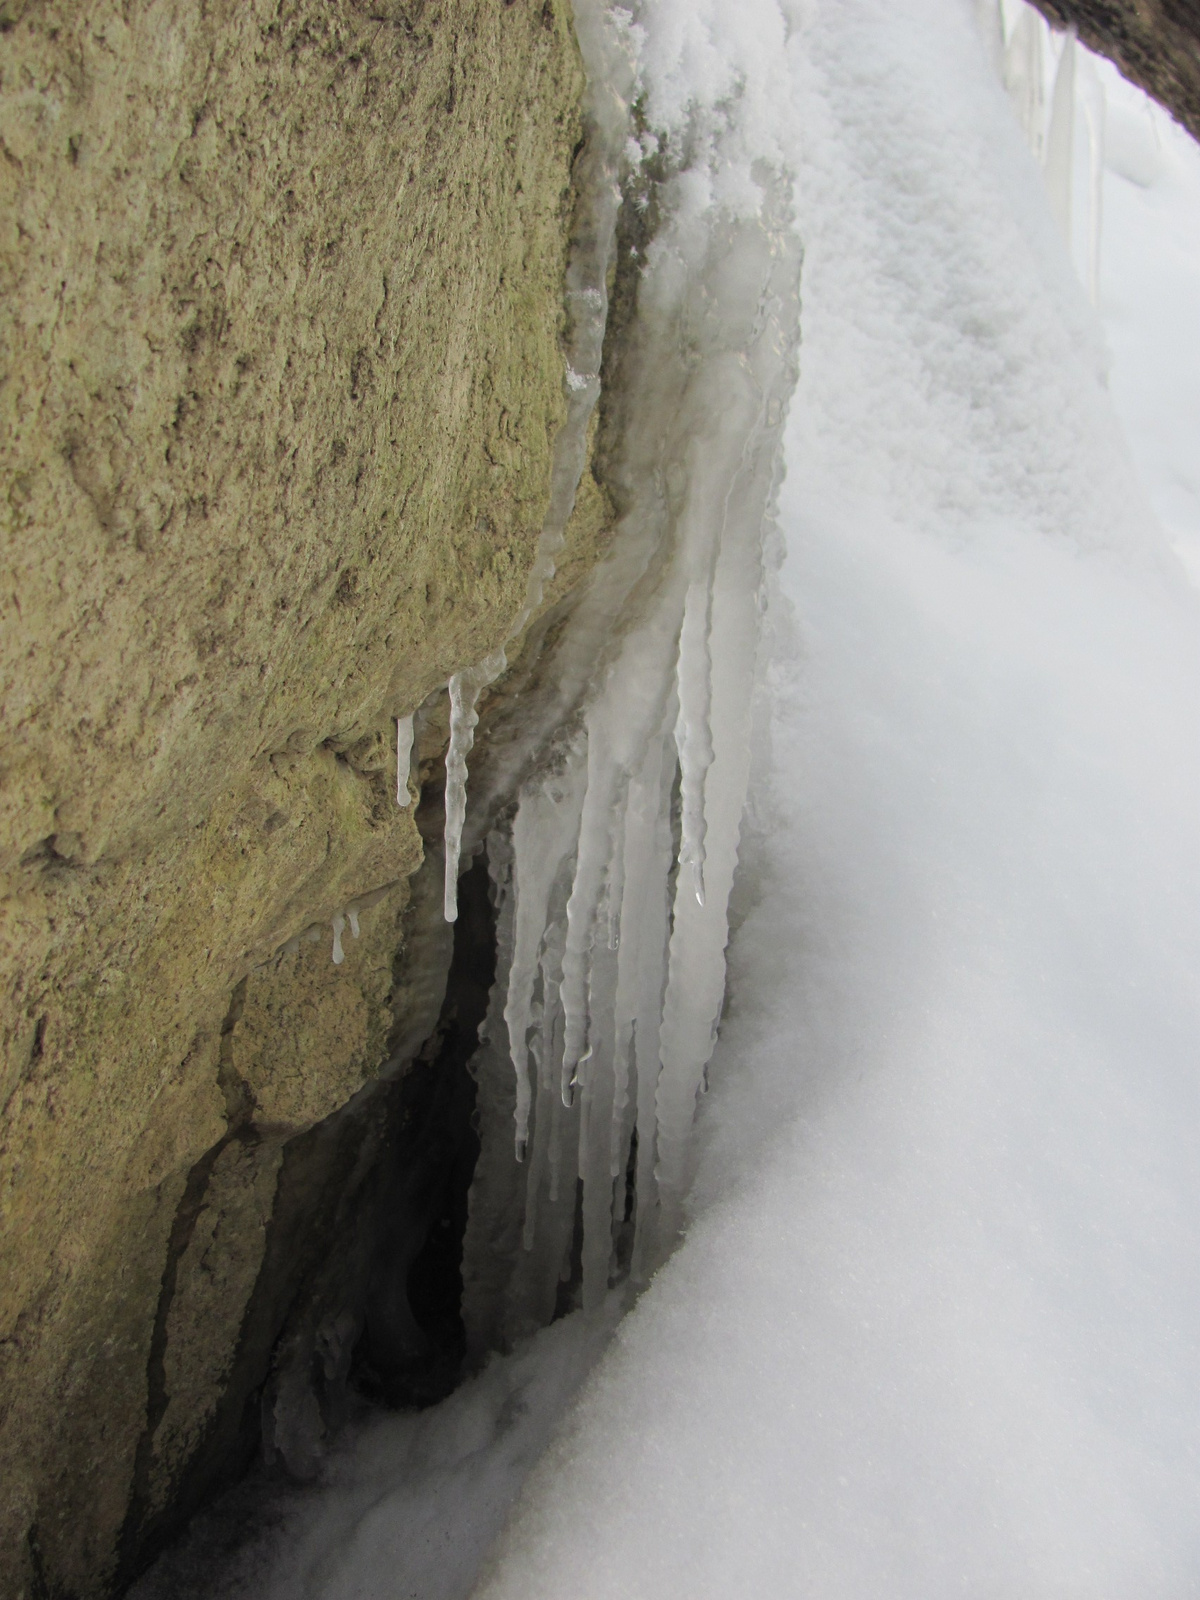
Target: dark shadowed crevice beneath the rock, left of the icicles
359, 1295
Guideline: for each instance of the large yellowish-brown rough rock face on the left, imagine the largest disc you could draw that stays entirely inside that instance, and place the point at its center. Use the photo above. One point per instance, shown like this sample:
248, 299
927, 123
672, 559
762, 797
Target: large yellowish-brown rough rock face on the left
281, 298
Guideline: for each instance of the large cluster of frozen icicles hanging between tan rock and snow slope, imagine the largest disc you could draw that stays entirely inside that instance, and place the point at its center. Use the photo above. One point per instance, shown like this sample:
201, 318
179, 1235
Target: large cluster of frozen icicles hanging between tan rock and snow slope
614, 863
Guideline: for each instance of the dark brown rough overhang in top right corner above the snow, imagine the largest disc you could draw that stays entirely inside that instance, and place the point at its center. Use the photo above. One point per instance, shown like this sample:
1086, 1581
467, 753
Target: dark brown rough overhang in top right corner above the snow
1154, 42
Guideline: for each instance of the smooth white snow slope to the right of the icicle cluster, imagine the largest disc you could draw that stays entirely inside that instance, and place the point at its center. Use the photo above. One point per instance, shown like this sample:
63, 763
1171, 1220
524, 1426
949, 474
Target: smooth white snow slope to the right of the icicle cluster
935, 1330
